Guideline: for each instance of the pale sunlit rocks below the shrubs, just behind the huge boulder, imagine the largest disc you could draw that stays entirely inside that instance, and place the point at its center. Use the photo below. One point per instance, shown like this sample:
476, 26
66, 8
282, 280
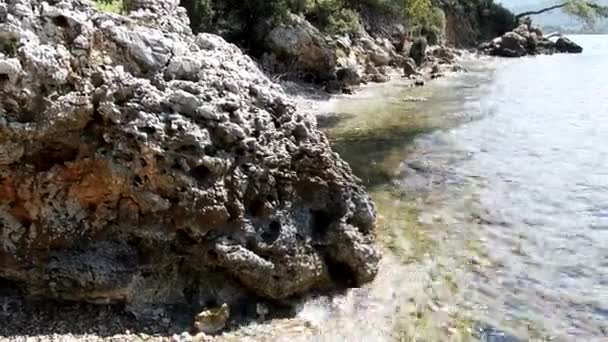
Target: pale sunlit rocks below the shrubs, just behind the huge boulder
341, 62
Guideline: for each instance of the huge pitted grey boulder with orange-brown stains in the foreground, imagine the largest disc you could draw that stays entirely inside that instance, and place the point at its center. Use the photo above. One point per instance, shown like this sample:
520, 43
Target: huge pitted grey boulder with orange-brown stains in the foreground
144, 165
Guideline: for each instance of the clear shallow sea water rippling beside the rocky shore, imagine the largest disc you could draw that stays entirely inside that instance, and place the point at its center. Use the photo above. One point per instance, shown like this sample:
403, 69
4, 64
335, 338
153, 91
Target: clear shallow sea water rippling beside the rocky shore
492, 200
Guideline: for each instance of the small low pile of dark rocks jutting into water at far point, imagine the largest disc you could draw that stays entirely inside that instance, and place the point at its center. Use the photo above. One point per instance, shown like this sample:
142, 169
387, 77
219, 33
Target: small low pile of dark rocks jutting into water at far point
527, 40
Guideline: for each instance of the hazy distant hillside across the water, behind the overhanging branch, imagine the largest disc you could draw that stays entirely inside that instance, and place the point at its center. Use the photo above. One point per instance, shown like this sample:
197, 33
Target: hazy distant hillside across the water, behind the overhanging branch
555, 20
